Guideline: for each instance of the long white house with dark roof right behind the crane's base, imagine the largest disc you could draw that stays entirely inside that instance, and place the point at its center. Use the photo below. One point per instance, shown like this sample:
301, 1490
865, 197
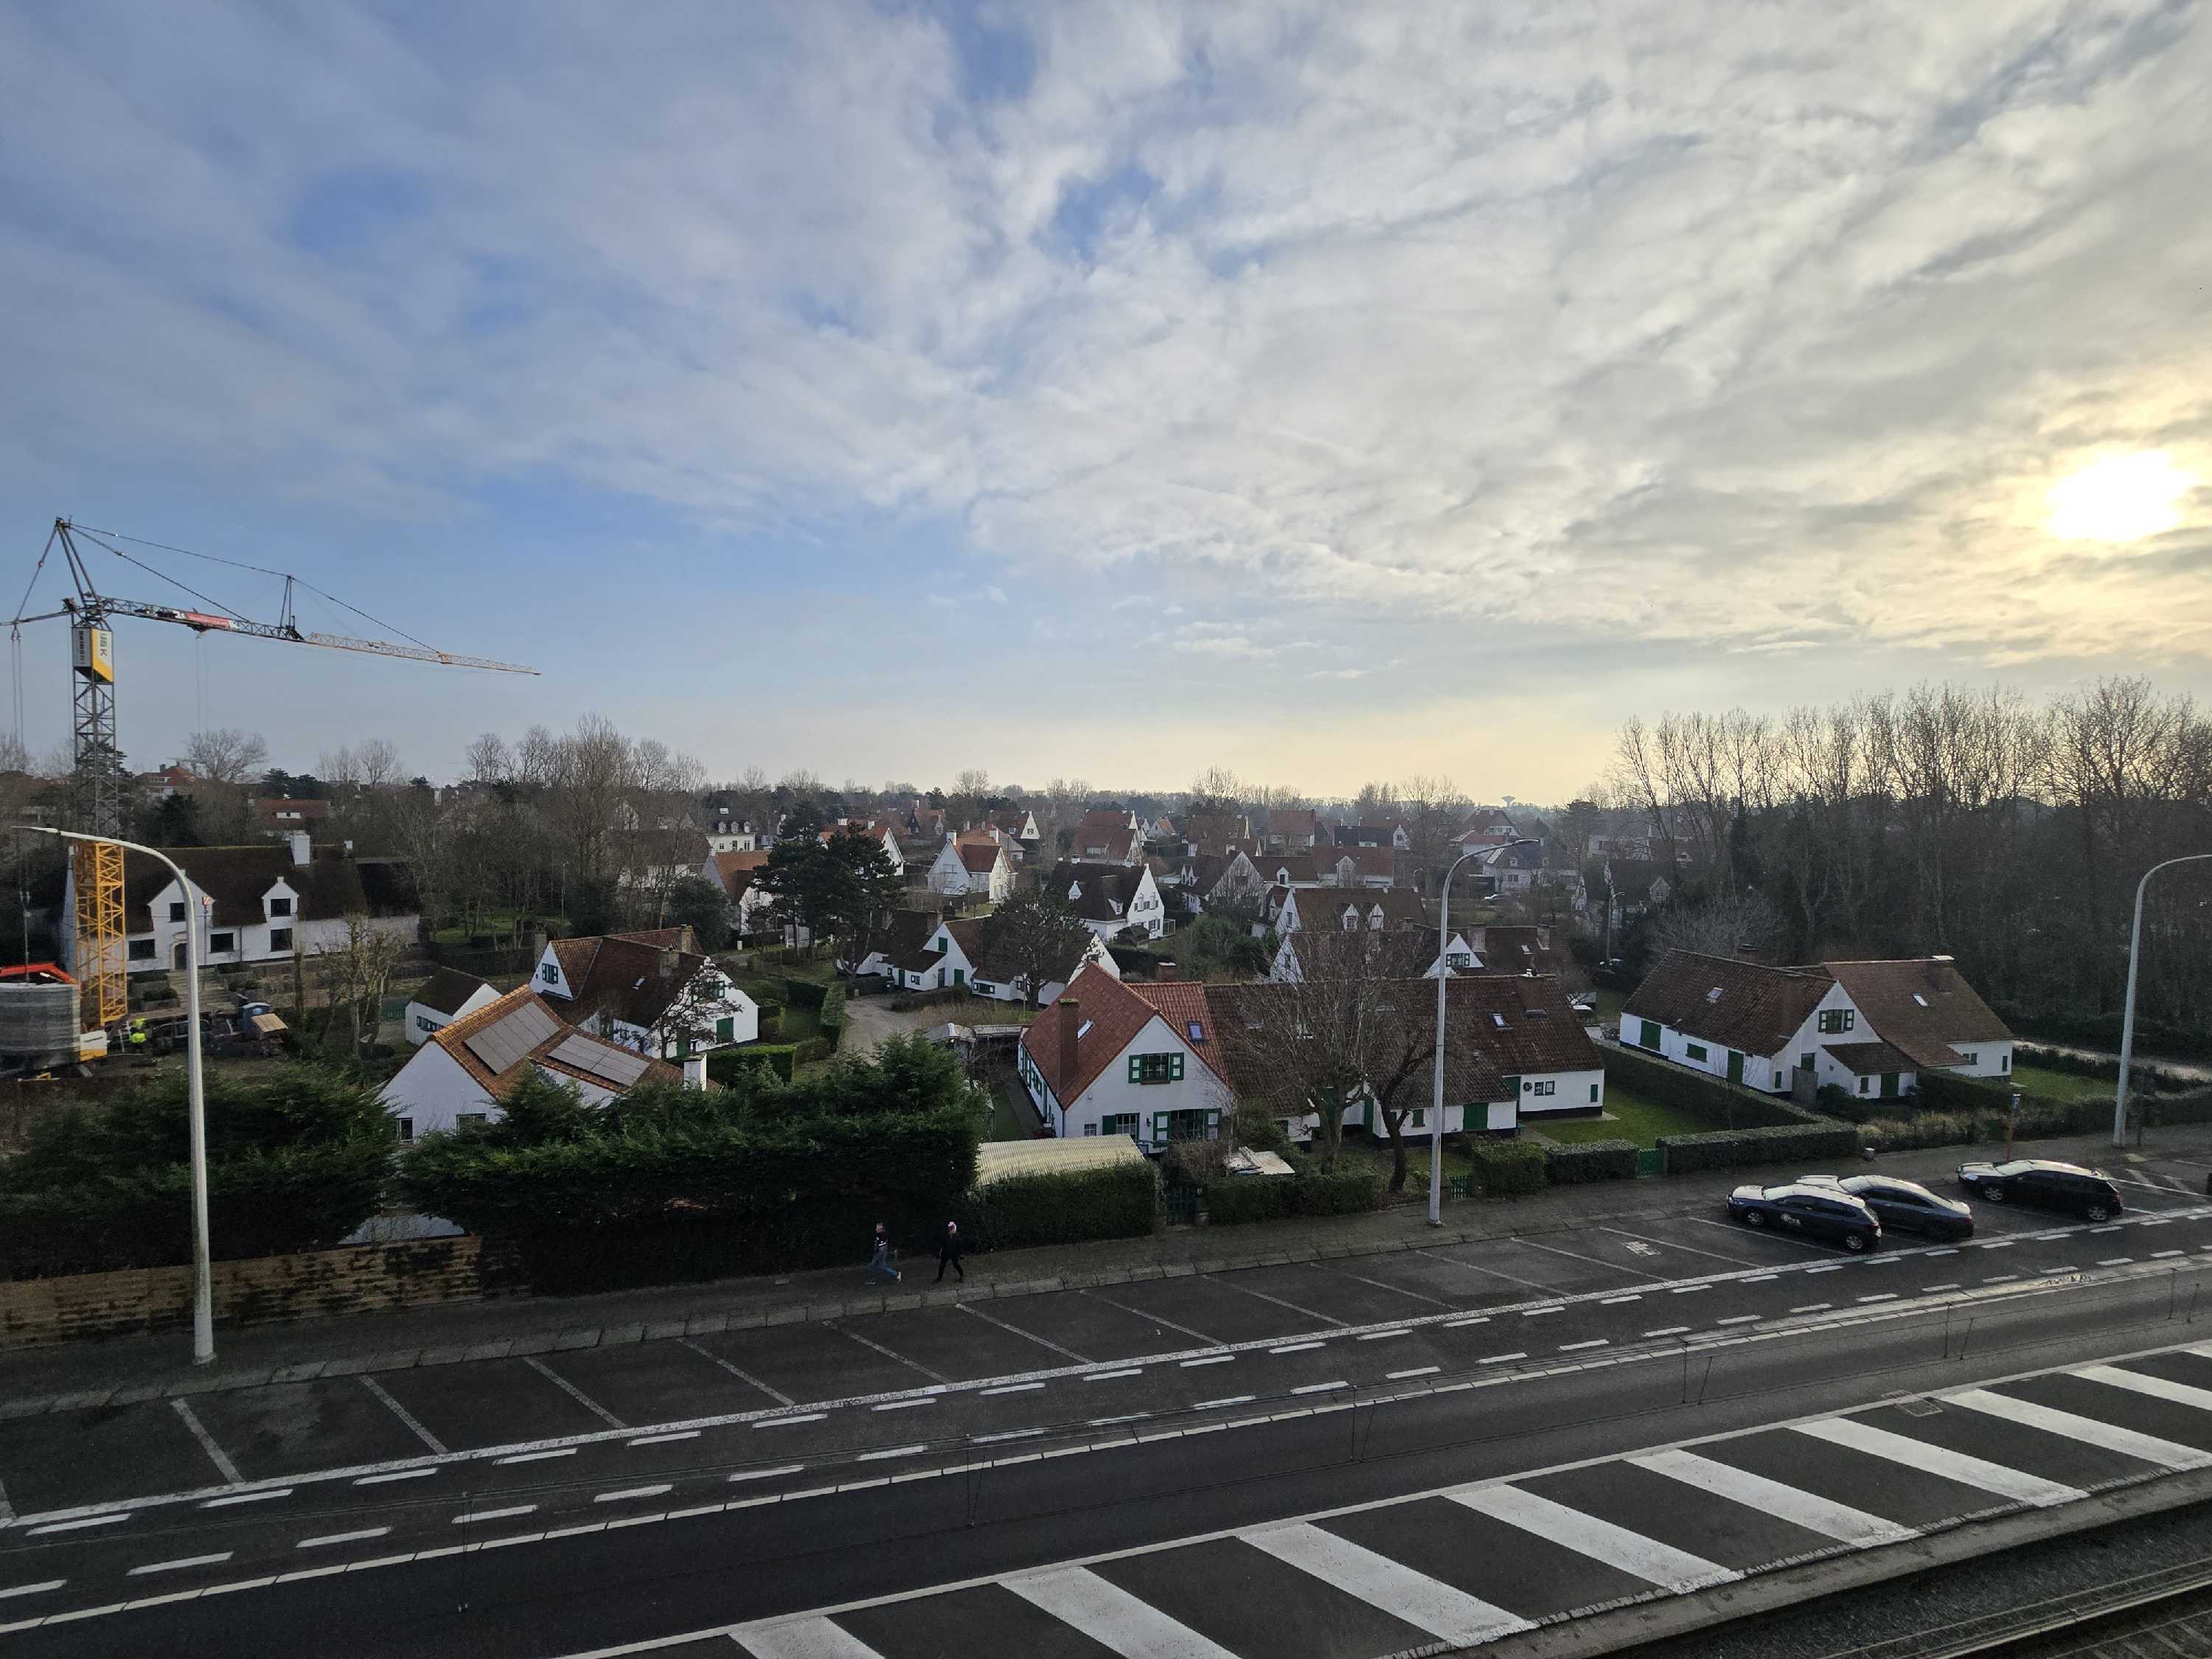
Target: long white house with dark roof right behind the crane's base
253, 904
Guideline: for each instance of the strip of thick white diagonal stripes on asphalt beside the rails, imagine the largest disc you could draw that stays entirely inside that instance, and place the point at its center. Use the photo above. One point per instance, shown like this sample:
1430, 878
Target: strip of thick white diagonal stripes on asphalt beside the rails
1479, 1563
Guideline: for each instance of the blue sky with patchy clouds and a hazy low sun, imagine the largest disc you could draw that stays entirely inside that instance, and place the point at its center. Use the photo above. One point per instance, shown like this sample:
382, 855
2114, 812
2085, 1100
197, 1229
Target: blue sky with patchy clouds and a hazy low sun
1109, 390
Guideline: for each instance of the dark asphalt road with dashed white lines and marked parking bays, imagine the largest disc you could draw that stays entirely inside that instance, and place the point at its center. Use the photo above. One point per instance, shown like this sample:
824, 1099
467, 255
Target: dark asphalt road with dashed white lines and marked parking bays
928, 1448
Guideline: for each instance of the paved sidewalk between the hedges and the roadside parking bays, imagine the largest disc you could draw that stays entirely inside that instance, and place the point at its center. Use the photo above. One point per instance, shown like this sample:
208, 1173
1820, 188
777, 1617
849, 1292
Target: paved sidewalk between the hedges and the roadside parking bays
143, 1368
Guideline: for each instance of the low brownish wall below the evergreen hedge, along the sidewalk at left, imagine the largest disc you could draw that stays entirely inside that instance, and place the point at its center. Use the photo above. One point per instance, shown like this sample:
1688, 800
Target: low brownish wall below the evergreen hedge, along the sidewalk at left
260, 1291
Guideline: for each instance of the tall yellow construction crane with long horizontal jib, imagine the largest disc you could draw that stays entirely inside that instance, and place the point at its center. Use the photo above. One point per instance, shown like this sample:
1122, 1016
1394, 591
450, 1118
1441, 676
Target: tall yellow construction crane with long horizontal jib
98, 760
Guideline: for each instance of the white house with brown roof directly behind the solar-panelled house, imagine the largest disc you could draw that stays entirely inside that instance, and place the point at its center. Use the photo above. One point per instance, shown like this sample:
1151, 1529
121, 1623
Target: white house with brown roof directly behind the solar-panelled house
647, 992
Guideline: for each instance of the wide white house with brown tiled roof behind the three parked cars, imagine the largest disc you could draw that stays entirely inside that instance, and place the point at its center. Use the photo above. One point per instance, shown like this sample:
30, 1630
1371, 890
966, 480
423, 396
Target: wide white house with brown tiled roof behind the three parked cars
1868, 1027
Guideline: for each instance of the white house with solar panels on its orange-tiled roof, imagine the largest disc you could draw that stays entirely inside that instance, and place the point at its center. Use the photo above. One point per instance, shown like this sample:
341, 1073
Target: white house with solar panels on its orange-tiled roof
463, 1072
